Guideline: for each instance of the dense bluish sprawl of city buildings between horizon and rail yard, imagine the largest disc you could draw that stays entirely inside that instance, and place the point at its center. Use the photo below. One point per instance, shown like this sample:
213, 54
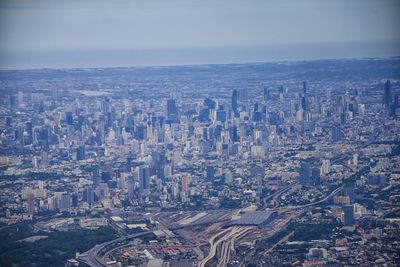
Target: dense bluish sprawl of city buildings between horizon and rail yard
113, 142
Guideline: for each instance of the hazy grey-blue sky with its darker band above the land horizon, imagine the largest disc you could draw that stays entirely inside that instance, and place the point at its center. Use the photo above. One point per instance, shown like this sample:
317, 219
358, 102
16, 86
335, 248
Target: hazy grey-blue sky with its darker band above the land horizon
52, 33
